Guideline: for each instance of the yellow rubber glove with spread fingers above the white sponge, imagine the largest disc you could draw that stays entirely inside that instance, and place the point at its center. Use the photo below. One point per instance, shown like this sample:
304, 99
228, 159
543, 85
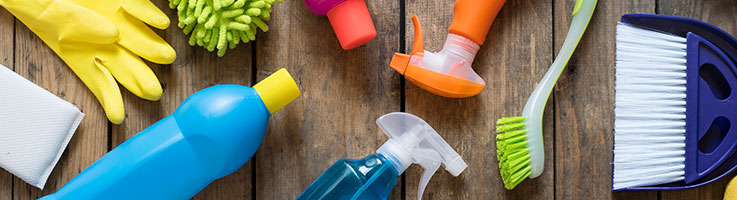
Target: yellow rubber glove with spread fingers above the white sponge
101, 41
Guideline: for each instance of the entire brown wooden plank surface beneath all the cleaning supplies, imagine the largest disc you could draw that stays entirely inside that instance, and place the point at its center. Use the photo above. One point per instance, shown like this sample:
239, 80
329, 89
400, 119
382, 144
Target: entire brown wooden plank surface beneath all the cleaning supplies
343, 92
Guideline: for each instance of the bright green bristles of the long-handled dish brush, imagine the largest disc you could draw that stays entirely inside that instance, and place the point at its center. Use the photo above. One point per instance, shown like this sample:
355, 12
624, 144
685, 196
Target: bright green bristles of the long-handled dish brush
512, 151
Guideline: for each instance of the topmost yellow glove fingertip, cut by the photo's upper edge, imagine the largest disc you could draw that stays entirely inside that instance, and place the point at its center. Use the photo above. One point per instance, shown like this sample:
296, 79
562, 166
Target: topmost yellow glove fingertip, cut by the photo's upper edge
147, 12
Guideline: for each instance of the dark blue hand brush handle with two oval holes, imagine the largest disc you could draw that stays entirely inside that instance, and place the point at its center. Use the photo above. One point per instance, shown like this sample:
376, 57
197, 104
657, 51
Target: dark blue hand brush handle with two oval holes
706, 109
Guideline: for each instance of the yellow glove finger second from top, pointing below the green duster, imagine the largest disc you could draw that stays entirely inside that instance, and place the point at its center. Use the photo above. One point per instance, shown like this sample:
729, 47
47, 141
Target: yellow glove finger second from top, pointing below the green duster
144, 42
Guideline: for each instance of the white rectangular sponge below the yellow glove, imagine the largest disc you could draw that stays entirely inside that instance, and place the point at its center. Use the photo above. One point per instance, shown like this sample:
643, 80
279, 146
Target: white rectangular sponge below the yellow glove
35, 128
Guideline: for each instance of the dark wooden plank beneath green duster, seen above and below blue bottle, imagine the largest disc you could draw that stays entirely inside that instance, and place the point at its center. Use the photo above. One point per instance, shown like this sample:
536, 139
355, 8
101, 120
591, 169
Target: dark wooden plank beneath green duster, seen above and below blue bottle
195, 69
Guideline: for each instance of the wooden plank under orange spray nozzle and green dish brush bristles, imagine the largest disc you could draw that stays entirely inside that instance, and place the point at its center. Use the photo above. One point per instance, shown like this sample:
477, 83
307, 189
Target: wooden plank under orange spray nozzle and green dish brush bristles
515, 56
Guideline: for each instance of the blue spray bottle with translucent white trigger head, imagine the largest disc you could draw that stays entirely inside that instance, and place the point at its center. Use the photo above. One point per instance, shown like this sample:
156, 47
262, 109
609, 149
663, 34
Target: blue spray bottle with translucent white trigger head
411, 140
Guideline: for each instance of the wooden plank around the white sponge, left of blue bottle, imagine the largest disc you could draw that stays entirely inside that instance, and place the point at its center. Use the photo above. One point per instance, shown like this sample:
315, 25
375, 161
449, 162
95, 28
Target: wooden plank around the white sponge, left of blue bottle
39, 64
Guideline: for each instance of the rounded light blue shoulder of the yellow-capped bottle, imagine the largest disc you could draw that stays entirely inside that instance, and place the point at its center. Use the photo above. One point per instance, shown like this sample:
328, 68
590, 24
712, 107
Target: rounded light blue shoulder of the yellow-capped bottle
223, 122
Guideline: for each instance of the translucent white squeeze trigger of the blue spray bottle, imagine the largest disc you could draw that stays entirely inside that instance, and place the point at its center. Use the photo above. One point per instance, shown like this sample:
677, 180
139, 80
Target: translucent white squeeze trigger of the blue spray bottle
430, 161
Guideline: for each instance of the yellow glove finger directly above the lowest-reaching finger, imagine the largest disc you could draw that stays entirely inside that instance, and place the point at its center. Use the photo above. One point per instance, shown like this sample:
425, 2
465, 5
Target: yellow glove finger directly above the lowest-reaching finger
133, 73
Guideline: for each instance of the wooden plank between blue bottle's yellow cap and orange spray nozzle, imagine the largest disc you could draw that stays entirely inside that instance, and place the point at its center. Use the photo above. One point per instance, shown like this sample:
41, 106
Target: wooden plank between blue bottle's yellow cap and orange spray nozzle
343, 93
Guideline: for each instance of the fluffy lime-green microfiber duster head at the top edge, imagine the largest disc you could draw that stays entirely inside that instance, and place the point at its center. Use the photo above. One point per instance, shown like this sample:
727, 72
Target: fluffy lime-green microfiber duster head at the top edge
222, 24
